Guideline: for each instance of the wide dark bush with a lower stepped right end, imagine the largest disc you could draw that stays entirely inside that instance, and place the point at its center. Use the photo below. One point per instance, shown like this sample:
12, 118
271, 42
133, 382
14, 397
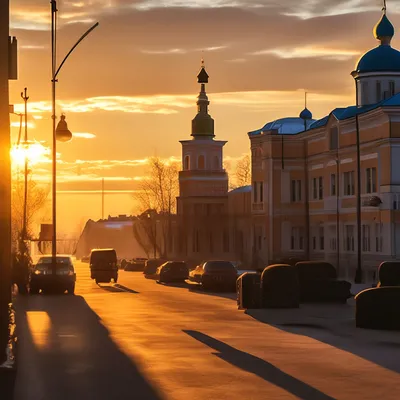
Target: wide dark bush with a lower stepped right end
318, 283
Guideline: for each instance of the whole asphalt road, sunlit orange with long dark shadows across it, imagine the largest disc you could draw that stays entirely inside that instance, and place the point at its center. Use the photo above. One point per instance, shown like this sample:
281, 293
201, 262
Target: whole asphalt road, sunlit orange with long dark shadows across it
142, 340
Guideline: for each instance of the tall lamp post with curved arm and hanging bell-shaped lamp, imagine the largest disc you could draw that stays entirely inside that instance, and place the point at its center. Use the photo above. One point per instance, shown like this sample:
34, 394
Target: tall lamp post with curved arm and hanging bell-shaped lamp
61, 132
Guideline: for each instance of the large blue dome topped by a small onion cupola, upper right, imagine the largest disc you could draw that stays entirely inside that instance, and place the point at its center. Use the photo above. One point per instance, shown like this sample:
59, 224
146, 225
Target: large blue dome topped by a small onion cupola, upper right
382, 58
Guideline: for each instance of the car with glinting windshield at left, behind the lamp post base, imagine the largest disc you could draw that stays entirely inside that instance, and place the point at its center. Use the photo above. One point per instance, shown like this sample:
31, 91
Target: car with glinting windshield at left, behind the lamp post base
46, 276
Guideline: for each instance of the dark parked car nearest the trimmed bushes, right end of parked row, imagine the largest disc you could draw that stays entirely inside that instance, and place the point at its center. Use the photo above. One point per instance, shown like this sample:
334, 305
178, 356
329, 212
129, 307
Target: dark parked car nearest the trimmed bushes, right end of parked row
215, 275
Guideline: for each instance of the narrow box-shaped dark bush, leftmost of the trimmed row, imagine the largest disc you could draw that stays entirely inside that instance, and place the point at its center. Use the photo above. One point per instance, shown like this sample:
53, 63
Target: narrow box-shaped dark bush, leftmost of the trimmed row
248, 290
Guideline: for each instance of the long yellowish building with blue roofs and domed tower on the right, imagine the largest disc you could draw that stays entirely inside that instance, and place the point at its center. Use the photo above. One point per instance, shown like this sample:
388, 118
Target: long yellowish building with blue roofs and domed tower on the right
305, 174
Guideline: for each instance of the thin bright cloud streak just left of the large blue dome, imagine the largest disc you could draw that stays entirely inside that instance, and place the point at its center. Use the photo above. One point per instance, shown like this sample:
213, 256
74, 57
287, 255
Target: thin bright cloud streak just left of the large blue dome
310, 52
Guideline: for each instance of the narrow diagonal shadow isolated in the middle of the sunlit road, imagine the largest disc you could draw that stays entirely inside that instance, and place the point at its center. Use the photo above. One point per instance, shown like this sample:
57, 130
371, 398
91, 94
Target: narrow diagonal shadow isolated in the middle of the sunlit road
260, 367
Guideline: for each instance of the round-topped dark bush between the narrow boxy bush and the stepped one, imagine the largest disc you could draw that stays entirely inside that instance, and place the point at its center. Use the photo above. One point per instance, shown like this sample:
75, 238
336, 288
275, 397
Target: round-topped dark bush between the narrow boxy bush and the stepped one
280, 286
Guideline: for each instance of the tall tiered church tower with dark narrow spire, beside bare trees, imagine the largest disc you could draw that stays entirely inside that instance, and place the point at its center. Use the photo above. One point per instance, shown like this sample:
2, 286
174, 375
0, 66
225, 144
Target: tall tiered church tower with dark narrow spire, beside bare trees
203, 186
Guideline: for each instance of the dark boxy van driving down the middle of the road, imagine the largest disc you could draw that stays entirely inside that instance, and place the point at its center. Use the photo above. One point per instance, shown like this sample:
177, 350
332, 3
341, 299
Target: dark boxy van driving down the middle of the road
103, 265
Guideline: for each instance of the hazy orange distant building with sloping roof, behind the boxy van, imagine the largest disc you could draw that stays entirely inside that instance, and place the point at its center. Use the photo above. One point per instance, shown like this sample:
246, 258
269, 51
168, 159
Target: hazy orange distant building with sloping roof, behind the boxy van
115, 232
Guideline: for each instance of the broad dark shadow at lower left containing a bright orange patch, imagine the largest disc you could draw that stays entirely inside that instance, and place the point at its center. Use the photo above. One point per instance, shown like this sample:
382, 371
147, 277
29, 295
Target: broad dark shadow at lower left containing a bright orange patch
65, 353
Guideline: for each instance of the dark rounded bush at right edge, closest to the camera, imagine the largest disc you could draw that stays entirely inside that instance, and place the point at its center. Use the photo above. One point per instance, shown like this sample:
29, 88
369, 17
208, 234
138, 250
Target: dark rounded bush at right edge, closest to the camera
378, 308
